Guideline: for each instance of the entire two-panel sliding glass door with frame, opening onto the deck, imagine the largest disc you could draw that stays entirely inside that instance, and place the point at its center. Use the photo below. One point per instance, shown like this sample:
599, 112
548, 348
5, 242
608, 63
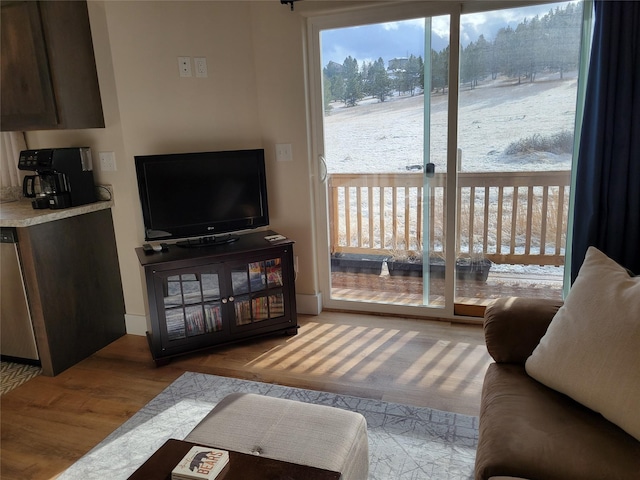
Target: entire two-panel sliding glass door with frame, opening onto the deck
443, 141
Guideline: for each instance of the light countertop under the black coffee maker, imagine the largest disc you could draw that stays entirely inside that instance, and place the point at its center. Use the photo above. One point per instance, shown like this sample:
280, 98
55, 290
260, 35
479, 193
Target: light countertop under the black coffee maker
20, 213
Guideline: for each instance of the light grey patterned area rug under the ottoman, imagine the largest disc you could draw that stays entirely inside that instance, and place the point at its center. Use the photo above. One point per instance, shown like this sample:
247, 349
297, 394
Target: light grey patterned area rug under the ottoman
405, 442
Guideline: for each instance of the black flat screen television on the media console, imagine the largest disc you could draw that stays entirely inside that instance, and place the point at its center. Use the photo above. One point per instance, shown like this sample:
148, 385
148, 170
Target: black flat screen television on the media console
203, 194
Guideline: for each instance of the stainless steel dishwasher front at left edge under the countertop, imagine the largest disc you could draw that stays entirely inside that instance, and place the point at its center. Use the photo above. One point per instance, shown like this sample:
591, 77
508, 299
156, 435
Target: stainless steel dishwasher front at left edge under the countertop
17, 339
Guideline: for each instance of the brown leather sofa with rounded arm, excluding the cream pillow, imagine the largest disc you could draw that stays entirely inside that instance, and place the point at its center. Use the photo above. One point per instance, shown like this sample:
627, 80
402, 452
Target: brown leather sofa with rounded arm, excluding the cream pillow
528, 430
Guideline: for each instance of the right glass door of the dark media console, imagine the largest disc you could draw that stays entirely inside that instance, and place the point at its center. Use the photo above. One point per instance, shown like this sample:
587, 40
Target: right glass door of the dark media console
257, 291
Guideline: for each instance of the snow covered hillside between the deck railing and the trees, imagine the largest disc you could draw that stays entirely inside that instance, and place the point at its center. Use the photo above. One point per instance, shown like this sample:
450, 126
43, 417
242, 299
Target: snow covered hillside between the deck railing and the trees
388, 136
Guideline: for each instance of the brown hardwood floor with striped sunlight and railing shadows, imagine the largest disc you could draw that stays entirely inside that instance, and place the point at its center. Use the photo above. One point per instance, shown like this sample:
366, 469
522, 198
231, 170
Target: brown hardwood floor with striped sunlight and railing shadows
50, 422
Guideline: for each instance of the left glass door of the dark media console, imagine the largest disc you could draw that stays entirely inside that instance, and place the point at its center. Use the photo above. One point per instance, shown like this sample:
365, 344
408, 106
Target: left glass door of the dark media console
192, 304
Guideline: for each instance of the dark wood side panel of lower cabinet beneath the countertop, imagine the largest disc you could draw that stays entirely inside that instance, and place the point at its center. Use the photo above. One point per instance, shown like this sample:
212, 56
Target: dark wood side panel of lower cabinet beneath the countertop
72, 276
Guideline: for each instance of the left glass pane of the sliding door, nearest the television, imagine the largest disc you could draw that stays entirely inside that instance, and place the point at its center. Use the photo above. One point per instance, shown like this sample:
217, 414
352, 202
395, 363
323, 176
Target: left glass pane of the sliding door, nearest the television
377, 153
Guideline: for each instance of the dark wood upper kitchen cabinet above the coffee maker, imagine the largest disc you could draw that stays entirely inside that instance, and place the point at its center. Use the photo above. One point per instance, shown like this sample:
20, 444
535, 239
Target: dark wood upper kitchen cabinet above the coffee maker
48, 71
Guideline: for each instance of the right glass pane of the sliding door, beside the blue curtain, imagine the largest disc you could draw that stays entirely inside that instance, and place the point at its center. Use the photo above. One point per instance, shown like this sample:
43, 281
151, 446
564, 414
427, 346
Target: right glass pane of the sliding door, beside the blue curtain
517, 105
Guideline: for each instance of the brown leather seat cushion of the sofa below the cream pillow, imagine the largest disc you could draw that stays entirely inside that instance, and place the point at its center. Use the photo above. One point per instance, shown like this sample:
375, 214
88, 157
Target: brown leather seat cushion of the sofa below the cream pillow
528, 430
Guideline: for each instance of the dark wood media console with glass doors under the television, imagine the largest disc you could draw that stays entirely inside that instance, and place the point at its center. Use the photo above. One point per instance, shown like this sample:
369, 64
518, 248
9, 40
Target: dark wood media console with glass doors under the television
218, 294
